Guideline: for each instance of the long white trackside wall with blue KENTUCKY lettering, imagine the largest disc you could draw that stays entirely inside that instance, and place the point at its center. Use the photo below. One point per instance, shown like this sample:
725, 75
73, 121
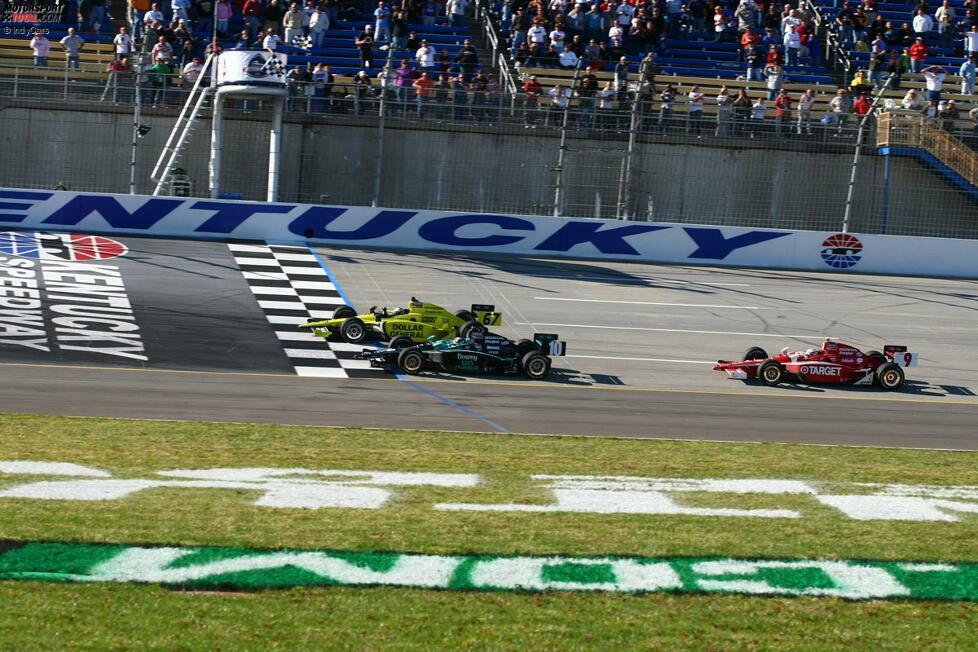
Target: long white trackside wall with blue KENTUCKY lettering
489, 233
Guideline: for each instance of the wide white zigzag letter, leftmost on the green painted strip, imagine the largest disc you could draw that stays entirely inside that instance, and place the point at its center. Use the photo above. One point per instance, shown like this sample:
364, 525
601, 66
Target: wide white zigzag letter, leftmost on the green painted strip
153, 565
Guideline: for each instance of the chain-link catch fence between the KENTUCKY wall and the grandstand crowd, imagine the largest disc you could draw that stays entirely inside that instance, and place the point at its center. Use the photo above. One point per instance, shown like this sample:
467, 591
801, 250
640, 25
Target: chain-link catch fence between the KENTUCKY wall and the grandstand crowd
492, 152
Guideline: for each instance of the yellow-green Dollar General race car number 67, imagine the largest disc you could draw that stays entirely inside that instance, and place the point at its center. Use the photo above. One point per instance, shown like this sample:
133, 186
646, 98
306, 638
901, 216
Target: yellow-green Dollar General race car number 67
416, 323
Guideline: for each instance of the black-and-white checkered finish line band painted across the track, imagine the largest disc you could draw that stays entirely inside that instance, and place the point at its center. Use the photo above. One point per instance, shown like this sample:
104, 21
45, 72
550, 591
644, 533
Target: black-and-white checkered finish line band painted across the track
291, 287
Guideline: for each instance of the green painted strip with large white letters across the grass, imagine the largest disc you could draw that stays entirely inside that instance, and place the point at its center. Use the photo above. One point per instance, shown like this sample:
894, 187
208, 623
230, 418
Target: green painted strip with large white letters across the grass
244, 569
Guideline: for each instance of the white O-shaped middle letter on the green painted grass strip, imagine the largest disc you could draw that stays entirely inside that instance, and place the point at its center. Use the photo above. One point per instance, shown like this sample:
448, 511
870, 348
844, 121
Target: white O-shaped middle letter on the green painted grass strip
529, 573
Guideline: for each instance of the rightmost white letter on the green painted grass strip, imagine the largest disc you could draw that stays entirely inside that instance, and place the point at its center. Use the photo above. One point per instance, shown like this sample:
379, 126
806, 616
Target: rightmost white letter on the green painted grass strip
850, 580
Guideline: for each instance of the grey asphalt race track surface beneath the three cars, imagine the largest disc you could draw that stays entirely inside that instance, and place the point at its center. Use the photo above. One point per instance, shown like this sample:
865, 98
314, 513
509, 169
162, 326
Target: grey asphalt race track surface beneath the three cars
641, 340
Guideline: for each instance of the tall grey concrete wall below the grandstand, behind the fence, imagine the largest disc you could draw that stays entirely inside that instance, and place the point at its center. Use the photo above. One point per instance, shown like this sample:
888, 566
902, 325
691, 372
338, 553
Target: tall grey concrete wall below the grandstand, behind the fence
496, 172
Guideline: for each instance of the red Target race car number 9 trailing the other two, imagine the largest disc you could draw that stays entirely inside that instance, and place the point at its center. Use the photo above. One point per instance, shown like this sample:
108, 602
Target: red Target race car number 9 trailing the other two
835, 364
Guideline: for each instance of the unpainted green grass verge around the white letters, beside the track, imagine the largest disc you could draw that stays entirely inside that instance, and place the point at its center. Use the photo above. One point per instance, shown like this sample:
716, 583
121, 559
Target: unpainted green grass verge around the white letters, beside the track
36, 615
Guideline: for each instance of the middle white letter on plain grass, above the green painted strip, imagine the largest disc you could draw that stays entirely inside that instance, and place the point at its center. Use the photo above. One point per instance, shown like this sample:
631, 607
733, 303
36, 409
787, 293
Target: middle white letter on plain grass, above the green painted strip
610, 495
